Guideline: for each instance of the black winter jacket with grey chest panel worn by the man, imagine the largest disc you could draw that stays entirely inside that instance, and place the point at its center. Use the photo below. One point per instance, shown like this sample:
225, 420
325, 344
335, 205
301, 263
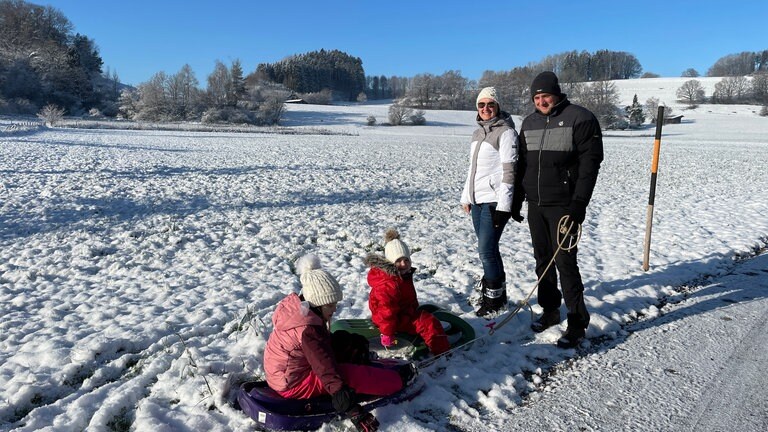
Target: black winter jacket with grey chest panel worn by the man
560, 155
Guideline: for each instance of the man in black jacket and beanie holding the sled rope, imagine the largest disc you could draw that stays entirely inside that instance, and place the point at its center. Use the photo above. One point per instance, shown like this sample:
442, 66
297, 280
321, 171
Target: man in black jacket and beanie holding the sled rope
561, 148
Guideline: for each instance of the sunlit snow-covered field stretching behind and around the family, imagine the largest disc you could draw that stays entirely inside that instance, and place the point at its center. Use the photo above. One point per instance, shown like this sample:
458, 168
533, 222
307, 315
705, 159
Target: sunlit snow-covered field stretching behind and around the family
139, 269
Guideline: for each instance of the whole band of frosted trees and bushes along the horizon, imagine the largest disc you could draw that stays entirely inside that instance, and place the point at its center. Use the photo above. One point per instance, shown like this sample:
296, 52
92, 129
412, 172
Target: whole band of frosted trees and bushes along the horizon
42, 62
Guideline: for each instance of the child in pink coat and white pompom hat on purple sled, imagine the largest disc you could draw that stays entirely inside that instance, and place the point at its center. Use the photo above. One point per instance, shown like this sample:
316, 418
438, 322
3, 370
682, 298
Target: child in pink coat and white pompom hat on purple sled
301, 361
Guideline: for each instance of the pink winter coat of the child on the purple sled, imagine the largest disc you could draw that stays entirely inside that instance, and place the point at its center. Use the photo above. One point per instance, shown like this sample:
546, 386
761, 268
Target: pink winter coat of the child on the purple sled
299, 344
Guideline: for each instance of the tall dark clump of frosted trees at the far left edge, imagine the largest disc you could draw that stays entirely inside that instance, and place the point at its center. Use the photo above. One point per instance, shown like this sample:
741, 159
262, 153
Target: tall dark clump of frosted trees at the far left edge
42, 62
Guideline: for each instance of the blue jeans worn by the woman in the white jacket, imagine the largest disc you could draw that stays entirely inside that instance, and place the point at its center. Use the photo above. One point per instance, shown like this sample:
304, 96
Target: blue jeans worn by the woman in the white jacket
488, 240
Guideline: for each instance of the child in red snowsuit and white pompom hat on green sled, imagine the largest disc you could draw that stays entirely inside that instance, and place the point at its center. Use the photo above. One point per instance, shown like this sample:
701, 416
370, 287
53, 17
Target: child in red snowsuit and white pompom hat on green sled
393, 302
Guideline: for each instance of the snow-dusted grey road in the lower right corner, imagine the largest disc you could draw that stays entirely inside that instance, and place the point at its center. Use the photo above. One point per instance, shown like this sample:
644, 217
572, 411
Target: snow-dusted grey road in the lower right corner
698, 367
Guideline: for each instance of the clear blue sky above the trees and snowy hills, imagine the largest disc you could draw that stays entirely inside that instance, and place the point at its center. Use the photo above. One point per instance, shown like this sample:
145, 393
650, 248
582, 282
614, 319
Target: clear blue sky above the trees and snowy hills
138, 38
